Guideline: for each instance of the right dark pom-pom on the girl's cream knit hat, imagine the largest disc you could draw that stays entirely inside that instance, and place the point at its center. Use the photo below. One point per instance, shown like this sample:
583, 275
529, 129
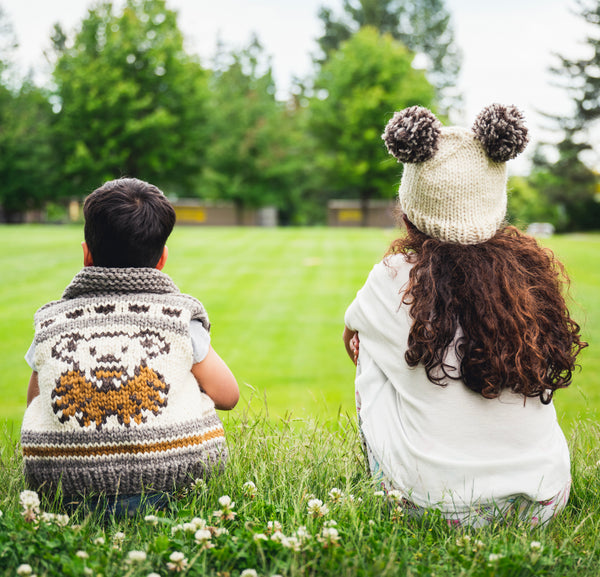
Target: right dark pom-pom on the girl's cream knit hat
502, 131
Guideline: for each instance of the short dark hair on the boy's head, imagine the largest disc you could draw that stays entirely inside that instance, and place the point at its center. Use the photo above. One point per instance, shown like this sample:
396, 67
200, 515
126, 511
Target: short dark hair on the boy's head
127, 223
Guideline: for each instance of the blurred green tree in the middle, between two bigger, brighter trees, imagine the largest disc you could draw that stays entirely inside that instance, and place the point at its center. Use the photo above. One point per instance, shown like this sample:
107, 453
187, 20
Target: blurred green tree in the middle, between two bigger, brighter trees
248, 158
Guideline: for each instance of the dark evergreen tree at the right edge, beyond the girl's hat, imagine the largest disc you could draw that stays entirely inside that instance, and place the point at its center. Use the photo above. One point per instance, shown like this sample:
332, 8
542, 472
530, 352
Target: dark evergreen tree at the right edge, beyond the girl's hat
569, 182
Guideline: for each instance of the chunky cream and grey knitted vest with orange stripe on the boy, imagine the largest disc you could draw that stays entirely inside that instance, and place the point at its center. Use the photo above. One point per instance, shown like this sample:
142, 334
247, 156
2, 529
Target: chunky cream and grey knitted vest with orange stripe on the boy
119, 410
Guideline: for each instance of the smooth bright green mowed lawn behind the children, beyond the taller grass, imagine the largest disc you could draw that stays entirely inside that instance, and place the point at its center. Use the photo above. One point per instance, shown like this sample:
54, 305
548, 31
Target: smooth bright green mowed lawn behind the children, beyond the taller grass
276, 299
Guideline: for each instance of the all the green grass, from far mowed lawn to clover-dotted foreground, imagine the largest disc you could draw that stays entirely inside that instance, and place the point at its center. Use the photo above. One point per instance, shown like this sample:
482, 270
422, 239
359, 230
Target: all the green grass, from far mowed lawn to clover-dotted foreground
276, 300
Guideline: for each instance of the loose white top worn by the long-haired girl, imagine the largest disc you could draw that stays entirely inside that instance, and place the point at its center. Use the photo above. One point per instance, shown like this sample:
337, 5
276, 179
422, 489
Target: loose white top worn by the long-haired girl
445, 446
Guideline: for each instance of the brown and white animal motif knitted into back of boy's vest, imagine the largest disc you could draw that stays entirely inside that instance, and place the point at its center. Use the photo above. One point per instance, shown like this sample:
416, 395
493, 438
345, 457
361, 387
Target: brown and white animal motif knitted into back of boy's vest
115, 378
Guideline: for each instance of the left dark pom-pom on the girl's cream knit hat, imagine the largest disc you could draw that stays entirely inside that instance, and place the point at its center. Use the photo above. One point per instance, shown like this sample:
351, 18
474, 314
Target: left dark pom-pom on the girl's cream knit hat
412, 134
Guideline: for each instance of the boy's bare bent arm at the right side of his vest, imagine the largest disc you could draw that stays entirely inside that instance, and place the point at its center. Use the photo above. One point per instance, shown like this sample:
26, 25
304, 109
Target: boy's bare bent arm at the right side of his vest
217, 381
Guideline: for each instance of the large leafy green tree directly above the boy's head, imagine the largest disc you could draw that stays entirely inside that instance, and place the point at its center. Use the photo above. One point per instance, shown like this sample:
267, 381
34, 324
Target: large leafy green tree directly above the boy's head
132, 102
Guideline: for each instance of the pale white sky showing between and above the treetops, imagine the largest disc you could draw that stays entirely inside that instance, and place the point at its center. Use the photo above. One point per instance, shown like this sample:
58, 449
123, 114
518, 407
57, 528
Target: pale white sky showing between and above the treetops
507, 46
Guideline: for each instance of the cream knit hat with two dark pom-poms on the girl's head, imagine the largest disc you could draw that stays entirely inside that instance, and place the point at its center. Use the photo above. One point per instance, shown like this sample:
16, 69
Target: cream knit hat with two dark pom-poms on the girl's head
454, 183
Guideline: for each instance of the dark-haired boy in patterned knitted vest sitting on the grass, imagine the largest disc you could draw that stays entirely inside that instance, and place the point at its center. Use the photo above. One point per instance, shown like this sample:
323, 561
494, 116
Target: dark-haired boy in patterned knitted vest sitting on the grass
125, 382
